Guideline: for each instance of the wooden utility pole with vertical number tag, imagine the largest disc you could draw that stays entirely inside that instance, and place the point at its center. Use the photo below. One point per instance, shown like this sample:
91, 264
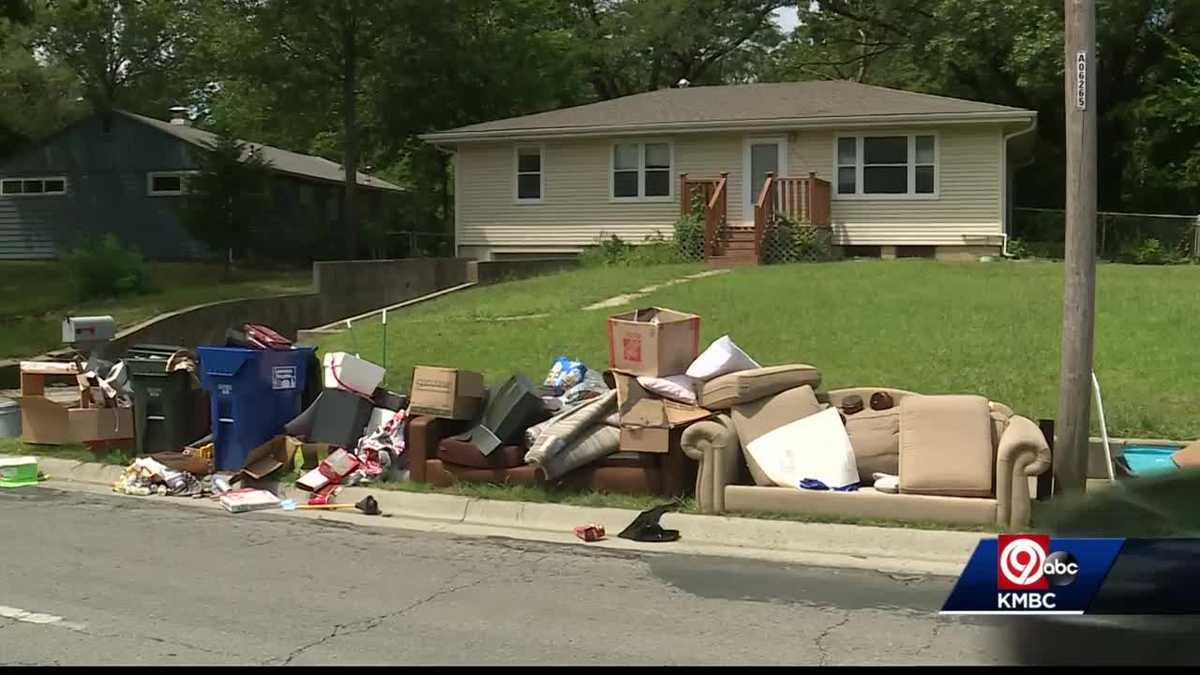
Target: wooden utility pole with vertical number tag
1079, 266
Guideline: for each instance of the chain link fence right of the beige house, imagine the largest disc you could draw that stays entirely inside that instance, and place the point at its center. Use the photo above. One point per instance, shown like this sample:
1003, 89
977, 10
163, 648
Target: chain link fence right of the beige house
1121, 237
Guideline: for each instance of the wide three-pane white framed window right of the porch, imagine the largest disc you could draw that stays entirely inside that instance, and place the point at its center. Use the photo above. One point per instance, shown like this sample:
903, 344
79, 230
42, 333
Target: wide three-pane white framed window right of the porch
893, 166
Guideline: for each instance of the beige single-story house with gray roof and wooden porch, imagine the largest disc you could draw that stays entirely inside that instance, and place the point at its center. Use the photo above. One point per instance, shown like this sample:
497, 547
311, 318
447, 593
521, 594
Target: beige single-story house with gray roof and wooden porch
892, 174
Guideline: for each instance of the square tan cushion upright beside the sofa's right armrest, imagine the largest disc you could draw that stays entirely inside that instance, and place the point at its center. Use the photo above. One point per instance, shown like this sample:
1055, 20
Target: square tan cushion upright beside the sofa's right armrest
946, 446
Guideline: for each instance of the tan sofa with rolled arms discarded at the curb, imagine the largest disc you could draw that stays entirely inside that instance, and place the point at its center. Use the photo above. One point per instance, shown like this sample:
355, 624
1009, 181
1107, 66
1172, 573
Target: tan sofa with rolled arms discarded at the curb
961, 459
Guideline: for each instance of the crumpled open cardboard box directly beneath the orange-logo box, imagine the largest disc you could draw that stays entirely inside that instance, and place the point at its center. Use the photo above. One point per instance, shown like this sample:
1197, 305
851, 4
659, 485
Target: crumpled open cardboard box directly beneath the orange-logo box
650, 425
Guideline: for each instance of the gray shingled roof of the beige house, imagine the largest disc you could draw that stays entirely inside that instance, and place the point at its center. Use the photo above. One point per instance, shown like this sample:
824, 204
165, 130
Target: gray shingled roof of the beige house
741, 106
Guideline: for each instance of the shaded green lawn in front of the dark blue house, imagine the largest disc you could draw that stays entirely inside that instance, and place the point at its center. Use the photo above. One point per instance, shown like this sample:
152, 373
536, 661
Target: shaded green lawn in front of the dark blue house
38, 296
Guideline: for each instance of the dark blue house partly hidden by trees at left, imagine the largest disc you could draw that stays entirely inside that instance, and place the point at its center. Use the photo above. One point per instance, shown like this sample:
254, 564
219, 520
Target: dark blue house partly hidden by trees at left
125, 174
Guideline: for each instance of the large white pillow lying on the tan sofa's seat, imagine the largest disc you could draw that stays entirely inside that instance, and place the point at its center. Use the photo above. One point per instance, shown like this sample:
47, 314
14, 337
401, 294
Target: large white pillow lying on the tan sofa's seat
815, 449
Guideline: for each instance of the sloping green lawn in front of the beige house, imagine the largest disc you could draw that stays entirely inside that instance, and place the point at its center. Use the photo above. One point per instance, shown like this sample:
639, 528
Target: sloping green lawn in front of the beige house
932, 327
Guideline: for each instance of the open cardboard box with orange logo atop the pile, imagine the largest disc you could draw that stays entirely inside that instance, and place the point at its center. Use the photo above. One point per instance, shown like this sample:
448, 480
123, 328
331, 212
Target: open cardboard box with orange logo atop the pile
653, 342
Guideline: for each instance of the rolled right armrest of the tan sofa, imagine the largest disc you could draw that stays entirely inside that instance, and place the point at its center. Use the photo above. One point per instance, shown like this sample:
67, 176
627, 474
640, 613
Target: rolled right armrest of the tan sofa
1023, 453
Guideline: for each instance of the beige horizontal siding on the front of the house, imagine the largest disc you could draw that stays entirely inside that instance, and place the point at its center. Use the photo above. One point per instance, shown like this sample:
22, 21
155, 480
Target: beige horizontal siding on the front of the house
577, 210
